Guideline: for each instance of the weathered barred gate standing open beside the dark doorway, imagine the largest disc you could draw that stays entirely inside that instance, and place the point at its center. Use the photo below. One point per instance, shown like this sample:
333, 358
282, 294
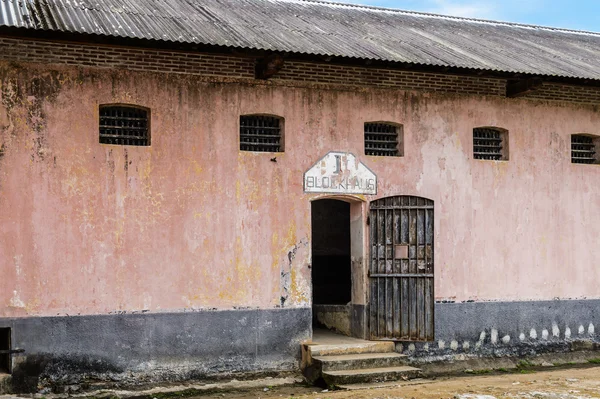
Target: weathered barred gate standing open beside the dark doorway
401, 301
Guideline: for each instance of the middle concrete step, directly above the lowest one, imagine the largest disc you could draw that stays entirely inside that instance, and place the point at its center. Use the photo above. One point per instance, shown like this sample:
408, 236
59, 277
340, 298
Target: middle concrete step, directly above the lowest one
360, 361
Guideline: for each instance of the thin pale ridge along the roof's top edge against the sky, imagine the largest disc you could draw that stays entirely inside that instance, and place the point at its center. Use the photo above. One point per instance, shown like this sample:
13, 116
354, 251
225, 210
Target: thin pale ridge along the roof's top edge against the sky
430, 14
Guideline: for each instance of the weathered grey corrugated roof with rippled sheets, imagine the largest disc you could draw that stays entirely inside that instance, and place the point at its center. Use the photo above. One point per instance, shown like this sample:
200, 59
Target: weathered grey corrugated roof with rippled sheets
323, 28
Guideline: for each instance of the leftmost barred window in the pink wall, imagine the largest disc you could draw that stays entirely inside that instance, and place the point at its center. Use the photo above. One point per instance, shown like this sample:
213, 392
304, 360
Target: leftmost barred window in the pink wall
122, 125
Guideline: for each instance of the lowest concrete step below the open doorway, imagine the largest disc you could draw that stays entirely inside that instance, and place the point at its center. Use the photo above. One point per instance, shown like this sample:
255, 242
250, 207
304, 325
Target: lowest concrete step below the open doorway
382, 374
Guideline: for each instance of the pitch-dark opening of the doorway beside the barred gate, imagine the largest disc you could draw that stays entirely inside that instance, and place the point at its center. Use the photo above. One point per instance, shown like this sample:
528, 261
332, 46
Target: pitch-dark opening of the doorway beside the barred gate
331, 268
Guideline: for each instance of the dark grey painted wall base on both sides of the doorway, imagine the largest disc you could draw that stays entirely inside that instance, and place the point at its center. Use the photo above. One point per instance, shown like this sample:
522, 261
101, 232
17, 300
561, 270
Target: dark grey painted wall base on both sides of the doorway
128, 349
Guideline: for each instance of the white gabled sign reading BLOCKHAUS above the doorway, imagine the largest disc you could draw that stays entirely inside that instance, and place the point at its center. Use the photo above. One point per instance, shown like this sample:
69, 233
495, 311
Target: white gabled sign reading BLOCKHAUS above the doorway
340, 173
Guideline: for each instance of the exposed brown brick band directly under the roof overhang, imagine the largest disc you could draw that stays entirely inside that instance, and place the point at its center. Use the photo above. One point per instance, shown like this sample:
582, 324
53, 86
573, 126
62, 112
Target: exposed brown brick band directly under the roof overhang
294, 73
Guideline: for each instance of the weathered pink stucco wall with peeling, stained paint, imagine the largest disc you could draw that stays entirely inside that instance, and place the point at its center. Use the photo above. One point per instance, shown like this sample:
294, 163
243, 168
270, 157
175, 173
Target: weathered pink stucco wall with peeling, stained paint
191, 222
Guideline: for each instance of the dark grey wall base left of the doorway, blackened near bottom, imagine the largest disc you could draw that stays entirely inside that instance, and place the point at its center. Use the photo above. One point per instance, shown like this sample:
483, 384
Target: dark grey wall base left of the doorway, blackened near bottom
151, 347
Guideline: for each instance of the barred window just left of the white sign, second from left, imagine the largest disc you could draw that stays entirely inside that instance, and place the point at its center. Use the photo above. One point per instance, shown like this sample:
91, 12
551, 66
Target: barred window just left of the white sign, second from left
261, 133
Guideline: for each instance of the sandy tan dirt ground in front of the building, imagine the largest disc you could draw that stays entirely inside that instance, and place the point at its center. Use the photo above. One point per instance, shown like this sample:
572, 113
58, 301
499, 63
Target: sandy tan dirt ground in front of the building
571, 383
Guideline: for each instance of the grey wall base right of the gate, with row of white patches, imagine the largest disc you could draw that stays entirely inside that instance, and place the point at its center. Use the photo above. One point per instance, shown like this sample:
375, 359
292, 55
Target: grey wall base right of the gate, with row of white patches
509, 329
